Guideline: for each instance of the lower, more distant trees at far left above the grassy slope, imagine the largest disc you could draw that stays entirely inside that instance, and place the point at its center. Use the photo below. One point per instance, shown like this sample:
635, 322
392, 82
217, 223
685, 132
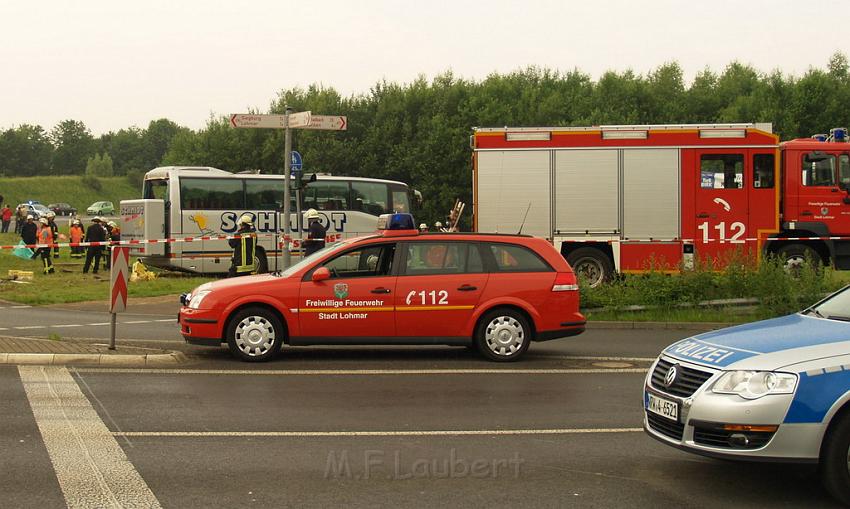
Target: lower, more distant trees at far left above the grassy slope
29, 150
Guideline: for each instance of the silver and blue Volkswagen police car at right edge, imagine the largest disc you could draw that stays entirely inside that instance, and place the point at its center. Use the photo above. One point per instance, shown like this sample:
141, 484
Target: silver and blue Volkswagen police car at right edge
772, 390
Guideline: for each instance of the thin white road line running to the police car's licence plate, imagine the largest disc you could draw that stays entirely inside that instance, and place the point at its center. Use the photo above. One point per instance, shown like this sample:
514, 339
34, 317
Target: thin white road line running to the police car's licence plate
407, 433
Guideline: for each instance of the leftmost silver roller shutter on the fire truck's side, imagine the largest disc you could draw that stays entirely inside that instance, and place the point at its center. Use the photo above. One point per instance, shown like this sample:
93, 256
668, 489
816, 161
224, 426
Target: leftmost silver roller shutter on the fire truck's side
511, 182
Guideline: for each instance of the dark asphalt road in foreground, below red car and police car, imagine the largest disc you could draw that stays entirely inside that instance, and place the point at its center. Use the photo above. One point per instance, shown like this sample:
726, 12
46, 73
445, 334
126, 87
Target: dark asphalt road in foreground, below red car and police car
366, 427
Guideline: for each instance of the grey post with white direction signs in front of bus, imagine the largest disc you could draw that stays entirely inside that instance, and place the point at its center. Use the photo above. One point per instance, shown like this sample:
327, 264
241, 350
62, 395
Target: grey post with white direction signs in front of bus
287, 122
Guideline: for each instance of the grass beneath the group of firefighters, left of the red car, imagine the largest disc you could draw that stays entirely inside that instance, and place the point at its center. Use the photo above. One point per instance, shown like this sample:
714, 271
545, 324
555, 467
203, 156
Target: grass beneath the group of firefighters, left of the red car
69, 284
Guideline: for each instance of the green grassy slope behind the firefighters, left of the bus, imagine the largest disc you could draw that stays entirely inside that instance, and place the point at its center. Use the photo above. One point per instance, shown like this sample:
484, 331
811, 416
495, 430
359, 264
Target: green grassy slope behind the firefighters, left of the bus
67, 190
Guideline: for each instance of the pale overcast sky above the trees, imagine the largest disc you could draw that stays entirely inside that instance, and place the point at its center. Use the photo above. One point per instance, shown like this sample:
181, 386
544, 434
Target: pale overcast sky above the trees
116, 64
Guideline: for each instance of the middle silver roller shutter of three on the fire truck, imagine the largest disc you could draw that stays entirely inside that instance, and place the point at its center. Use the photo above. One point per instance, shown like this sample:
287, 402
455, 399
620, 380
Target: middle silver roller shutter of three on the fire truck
587, 191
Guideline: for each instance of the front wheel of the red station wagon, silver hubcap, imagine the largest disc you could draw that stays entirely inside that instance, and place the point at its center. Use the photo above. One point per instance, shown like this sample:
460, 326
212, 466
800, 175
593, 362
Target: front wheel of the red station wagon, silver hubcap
255, 334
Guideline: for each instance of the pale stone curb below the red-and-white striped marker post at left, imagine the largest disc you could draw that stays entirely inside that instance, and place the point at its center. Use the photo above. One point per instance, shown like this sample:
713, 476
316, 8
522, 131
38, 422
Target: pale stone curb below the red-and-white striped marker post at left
64, 359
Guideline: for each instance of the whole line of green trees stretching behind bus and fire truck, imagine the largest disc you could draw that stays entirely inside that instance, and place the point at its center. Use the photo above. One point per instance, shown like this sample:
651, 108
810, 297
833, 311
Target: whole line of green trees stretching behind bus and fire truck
419, 132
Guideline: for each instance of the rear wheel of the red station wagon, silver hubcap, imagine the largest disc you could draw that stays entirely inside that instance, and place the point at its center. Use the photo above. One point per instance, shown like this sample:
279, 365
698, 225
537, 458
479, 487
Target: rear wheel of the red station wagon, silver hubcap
502, 335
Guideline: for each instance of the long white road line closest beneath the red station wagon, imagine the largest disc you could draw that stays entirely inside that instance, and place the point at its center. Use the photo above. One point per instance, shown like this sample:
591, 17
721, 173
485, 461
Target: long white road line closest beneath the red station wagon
326, 372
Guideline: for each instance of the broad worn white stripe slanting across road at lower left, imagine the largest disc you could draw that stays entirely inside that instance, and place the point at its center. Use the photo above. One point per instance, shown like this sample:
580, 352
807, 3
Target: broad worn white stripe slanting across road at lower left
91, 468
